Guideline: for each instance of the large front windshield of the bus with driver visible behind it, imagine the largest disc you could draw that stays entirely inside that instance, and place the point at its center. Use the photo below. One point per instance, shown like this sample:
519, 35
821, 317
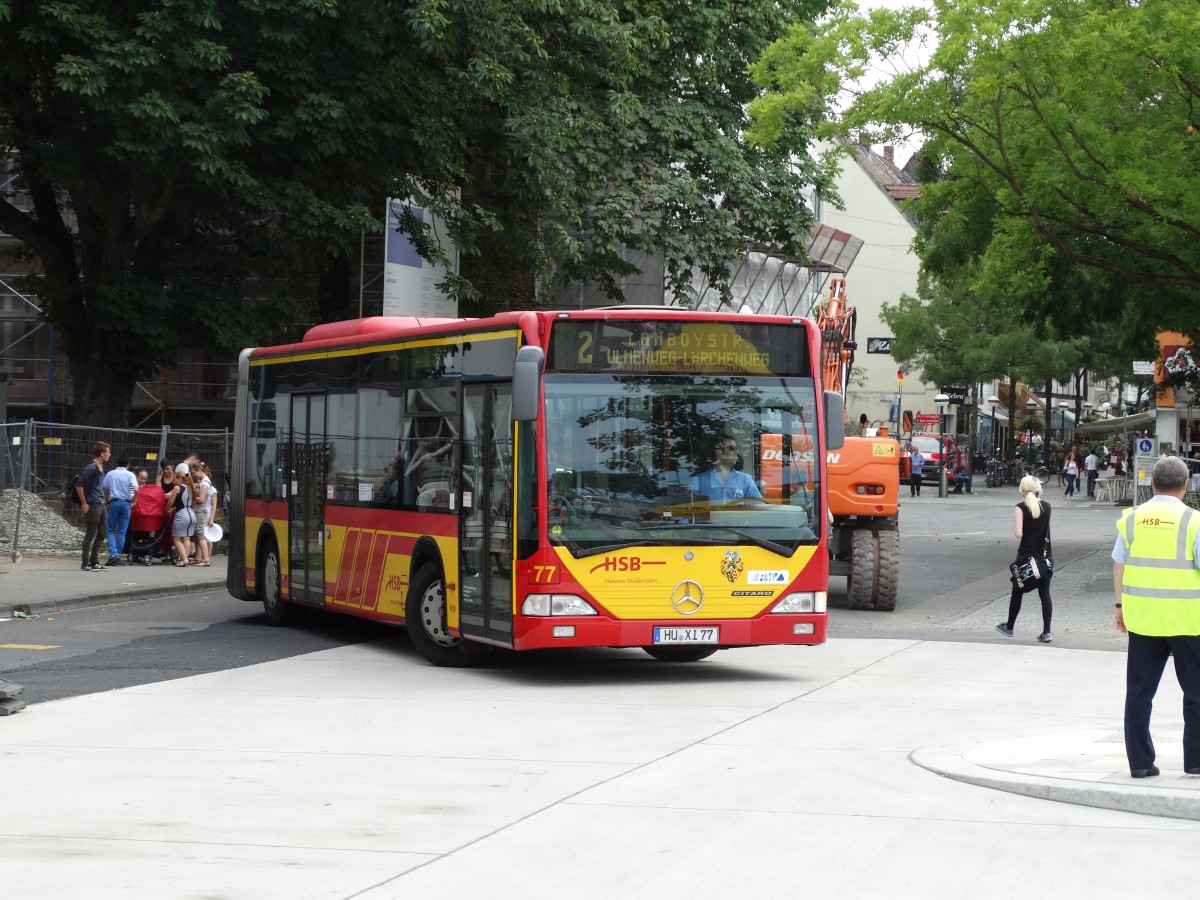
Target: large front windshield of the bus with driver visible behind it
637, 460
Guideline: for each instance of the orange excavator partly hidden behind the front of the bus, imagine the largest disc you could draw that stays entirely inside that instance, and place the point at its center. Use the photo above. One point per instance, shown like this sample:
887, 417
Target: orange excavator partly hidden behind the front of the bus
863, 478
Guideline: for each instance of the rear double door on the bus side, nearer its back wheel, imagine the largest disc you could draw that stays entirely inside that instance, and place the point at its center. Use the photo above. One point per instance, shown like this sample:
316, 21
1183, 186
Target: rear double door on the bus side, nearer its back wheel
307, 500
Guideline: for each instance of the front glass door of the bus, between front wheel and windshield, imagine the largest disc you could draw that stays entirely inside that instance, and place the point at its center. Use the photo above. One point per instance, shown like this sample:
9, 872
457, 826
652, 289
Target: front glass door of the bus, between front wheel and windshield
487, 515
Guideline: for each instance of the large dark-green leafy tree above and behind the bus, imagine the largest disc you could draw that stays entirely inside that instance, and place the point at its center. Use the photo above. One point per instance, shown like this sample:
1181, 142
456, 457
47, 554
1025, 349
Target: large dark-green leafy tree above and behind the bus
173, 151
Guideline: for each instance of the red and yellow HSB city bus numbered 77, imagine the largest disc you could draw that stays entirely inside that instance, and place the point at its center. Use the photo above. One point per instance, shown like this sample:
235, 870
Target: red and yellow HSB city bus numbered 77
541, 479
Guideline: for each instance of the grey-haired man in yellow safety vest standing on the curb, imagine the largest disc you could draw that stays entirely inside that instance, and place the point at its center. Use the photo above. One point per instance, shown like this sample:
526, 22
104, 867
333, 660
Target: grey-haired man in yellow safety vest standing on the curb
1156, 578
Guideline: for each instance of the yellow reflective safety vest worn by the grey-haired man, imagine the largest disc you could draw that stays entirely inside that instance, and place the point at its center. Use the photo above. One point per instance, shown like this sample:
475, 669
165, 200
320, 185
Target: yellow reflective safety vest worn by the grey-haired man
1161, 587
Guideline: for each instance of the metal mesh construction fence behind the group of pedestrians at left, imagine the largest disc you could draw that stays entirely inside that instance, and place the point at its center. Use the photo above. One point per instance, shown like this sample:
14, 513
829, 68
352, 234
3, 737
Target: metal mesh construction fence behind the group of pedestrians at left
40, 460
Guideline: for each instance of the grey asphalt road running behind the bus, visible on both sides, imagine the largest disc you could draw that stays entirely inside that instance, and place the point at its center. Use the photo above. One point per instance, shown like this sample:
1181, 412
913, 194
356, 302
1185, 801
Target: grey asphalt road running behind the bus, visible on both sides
955, 587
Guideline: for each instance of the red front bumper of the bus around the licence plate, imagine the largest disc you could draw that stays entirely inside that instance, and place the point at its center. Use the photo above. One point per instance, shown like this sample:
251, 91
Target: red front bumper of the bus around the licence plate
601, 632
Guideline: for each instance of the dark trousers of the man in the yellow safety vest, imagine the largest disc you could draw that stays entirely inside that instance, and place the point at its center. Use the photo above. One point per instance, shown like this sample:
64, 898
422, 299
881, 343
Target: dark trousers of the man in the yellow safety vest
1144, 671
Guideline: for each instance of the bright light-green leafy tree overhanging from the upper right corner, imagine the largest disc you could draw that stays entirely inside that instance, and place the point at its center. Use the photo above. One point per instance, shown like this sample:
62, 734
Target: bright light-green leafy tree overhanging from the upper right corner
1077, 117
